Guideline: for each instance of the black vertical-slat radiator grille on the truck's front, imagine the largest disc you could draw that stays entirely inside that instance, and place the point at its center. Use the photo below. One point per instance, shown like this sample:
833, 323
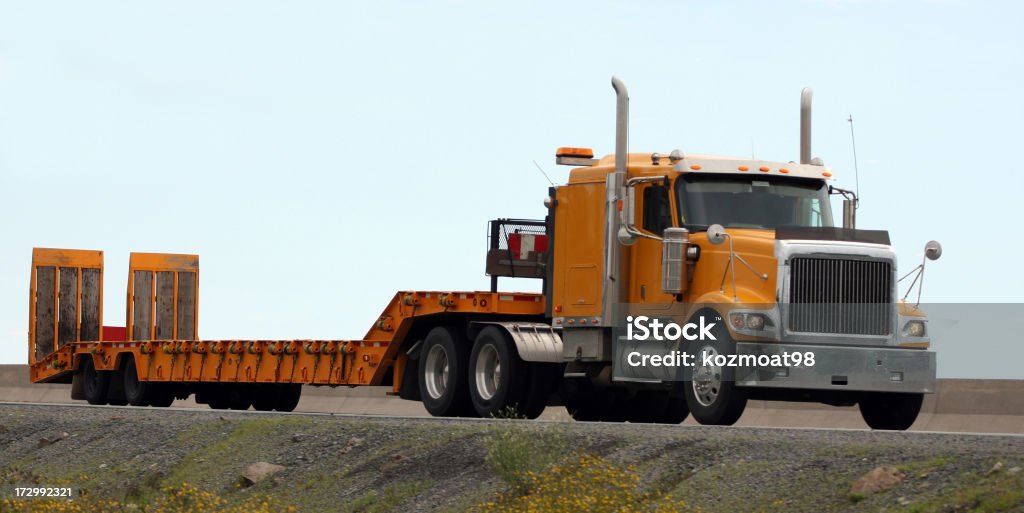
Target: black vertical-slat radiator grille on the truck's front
842, 296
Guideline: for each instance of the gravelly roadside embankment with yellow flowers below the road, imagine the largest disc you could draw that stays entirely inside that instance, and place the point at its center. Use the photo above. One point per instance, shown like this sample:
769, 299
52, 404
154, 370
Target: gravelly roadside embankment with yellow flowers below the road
325, 463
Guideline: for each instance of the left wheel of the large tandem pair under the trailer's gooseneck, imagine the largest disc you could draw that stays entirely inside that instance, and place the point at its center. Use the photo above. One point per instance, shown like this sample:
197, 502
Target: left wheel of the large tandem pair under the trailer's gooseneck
444, 383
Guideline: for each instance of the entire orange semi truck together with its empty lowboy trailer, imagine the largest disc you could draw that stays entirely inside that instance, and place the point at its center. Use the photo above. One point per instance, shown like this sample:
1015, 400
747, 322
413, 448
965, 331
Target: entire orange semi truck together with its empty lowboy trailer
747, 246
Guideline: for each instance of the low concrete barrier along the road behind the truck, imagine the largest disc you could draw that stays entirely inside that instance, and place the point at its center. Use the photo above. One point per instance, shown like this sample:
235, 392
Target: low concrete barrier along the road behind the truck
964, 406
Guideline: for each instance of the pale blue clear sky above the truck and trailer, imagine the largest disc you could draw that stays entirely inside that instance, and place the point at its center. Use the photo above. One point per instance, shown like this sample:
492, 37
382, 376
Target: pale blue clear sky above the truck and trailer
321, 156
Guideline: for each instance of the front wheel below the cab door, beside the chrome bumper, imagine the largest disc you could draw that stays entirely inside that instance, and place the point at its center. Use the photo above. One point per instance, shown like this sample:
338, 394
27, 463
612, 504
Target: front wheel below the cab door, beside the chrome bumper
712, 394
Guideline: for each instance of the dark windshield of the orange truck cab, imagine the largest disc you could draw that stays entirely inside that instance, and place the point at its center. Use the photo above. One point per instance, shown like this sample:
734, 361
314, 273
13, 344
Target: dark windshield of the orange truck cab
742, 202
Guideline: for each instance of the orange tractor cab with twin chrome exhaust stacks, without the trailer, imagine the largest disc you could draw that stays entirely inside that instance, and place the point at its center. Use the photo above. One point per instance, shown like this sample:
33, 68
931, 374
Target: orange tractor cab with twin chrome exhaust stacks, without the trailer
750, 246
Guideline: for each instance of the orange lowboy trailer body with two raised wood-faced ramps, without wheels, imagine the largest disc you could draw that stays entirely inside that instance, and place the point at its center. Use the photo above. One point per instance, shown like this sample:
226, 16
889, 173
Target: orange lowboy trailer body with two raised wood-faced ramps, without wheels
163, 300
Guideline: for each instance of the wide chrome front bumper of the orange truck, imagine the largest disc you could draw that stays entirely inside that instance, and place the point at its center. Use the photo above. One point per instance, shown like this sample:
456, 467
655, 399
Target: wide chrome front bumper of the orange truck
843, 368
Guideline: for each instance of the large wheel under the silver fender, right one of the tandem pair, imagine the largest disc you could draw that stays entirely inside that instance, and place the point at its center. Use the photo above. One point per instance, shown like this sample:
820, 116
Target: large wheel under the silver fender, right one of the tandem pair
499, 379
